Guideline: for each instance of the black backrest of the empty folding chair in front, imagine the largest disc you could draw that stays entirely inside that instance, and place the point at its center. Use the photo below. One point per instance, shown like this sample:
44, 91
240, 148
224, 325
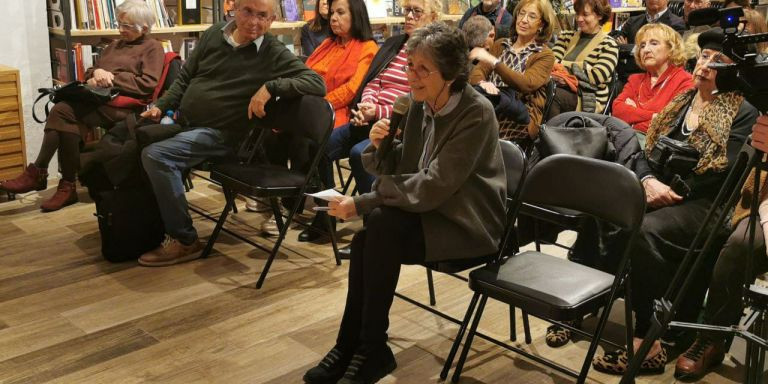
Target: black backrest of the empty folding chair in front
597, 188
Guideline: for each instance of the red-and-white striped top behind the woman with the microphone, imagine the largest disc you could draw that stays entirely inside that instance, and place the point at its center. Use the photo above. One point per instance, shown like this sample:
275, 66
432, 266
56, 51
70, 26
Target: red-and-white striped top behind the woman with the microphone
387, 86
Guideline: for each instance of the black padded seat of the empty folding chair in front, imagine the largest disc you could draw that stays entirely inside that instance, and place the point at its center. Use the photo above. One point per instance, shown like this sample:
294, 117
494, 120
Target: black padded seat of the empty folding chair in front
578, 290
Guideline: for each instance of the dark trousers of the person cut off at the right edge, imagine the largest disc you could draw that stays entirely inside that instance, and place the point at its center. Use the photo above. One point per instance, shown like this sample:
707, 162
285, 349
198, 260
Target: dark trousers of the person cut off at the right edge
724, 304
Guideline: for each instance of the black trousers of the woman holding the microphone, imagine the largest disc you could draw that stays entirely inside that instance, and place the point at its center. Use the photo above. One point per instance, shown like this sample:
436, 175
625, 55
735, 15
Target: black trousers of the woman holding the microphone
392, 237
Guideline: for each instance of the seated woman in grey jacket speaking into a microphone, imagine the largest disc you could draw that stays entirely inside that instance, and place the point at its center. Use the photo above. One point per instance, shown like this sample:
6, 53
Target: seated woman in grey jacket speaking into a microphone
430, 201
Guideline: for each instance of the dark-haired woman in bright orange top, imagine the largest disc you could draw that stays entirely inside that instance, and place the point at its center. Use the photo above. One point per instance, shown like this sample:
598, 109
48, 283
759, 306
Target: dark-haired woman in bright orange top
344, 57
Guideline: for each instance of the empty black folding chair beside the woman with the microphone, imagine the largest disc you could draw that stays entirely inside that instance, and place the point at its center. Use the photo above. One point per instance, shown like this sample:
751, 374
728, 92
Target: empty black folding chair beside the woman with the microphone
554, 288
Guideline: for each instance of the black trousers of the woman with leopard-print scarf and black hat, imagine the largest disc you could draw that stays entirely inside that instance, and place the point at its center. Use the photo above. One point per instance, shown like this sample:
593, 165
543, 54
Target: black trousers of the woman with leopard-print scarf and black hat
660, 246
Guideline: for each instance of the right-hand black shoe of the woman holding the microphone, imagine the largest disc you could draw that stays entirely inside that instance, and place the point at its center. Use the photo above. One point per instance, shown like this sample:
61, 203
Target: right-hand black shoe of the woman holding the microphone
369, 365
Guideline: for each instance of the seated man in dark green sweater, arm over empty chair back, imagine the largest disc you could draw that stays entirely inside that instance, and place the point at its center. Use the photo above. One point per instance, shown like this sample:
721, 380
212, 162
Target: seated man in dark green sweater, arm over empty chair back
236, 68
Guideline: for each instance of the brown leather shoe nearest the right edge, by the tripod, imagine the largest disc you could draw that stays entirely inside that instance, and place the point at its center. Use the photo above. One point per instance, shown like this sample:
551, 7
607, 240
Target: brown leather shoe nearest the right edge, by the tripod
703, 355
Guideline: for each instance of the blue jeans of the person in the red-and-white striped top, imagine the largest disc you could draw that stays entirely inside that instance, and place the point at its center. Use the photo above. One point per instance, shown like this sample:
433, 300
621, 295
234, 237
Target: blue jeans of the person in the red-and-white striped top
347, 141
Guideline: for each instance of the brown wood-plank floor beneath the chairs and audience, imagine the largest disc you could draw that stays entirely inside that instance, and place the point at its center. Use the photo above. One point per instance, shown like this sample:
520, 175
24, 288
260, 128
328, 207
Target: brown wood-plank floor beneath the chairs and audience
68, 316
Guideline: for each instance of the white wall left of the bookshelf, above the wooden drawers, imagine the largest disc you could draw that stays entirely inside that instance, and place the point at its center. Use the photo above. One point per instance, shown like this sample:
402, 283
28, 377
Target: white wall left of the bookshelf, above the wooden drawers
24, 45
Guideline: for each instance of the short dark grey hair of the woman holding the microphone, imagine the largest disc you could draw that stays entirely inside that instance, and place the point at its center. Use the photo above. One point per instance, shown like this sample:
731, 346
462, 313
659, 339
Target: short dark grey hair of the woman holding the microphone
447, 48
